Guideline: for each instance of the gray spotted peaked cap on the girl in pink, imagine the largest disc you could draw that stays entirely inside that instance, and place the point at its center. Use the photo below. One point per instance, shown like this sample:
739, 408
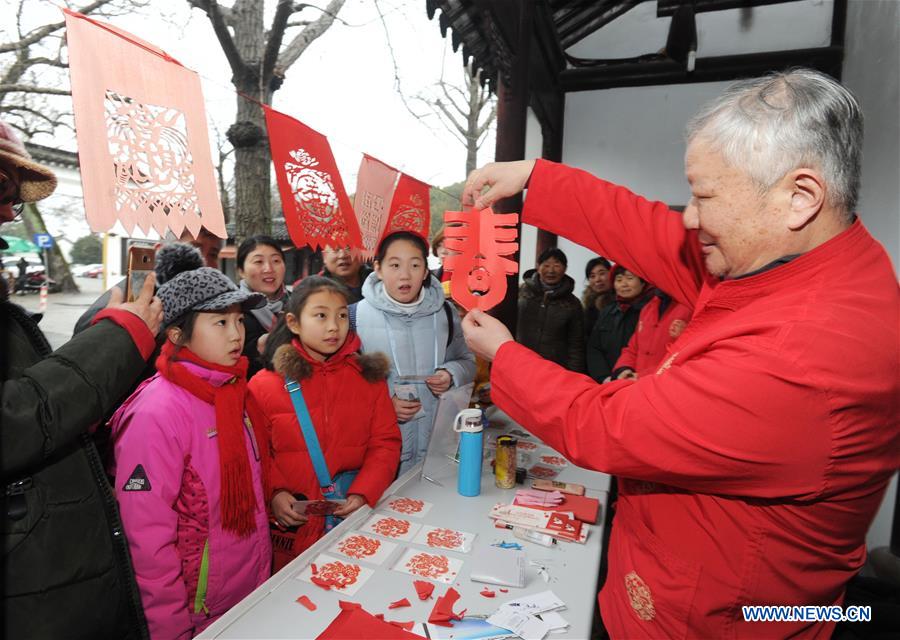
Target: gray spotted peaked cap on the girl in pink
203, 289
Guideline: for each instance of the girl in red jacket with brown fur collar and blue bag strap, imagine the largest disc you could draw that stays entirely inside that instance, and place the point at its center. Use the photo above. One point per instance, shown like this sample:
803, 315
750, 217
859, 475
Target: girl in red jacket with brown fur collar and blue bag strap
359, 439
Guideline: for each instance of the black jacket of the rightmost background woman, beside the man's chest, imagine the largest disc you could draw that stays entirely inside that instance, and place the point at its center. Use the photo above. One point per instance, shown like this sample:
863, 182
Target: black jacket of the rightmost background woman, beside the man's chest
611, 333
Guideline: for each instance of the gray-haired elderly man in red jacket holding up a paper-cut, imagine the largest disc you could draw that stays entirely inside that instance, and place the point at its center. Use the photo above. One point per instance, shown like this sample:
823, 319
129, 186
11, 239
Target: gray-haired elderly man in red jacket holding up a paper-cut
757, 455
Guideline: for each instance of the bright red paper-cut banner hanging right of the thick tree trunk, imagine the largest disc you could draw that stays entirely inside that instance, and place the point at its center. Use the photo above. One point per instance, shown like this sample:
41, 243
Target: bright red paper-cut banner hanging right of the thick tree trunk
316, 207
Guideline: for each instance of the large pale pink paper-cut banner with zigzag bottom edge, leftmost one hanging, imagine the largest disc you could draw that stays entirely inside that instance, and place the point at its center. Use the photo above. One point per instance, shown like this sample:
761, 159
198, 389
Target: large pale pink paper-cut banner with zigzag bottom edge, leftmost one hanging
143, 144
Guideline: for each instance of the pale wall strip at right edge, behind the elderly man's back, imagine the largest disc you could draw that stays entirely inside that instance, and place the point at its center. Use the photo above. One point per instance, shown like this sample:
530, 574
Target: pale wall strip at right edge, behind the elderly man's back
870, 71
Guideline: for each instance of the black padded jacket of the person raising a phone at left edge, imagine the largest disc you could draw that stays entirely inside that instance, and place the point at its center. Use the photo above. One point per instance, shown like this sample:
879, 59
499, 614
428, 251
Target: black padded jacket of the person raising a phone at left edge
67, 572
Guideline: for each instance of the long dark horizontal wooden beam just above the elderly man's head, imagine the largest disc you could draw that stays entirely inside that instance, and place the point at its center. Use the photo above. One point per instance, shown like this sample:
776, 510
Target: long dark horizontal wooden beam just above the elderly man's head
713, 69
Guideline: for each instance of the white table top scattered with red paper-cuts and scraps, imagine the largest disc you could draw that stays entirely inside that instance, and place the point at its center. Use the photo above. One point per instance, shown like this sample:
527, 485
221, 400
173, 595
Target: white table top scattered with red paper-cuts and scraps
271, 611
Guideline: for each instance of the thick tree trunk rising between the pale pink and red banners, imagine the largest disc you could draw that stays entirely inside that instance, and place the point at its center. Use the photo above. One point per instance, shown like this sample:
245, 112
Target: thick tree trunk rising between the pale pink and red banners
252, 206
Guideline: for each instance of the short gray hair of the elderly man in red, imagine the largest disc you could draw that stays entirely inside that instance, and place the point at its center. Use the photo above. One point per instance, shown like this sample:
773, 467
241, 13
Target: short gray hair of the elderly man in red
771, 125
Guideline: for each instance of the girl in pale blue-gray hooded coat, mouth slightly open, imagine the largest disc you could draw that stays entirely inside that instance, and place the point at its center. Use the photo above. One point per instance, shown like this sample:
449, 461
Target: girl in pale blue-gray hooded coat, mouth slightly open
404, 314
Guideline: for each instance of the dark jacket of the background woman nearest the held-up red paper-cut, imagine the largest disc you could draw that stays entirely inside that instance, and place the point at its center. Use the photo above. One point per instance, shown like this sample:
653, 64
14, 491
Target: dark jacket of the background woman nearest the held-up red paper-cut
550, 323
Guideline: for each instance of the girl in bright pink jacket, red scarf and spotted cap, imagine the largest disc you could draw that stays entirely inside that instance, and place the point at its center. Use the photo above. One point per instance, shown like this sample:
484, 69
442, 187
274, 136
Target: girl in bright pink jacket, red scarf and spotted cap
188, 469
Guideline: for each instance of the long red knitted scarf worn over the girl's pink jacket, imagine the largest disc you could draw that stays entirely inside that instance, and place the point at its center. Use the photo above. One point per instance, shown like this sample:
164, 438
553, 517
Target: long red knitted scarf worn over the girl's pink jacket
238, 500
